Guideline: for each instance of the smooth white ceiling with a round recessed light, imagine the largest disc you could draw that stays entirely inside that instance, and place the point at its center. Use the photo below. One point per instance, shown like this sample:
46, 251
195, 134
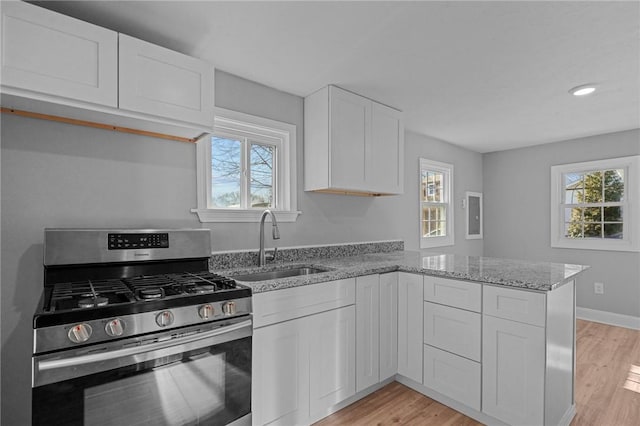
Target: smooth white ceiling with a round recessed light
484, 75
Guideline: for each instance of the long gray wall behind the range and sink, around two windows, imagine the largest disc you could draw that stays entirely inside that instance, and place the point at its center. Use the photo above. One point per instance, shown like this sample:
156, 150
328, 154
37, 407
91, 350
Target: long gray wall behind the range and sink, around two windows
58, 175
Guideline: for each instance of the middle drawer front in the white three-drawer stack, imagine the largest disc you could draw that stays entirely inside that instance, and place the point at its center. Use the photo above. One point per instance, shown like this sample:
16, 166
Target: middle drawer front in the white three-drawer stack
453, 330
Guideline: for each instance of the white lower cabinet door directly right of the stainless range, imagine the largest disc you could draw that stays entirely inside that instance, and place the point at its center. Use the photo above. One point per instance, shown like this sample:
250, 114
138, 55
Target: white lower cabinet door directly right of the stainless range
280, 374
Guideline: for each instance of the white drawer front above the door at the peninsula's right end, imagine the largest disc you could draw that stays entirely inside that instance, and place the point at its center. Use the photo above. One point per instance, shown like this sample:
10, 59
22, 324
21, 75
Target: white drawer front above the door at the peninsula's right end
518, 305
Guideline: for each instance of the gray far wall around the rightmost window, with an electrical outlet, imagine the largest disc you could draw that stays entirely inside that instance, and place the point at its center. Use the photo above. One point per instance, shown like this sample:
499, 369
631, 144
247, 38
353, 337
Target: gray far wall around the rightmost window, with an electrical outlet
517, 222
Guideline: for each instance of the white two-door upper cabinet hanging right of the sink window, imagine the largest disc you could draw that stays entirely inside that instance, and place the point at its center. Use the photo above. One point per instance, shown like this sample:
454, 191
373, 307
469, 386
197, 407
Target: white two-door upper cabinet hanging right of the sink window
352, 144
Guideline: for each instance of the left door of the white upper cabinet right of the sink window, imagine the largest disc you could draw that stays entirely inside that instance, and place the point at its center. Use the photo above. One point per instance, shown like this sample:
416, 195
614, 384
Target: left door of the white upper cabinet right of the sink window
349, 127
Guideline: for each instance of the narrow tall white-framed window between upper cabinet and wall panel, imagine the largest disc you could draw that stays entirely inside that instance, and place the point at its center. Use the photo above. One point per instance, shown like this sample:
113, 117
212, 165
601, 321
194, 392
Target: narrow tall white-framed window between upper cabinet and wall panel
436, 208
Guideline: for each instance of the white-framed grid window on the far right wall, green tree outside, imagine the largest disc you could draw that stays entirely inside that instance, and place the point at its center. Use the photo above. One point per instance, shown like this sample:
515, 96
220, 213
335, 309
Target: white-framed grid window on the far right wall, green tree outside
594, 205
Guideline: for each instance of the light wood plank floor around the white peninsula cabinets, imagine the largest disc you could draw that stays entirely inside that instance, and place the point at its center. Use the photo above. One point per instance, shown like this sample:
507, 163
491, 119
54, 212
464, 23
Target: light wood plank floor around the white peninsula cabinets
607, 388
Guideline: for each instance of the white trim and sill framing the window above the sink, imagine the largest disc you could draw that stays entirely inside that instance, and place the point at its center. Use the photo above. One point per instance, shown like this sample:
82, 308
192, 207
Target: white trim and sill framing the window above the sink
228, 120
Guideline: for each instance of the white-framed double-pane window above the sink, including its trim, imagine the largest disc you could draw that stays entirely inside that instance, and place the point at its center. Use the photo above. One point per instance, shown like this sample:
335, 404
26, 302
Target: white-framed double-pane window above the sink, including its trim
246, 165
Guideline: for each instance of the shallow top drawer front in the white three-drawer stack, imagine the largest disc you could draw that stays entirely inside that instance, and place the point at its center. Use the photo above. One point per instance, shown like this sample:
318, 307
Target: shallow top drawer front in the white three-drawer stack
459, 294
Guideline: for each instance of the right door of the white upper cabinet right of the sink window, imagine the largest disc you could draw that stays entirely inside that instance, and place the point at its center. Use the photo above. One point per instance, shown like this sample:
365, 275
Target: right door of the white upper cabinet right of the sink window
384, 156
